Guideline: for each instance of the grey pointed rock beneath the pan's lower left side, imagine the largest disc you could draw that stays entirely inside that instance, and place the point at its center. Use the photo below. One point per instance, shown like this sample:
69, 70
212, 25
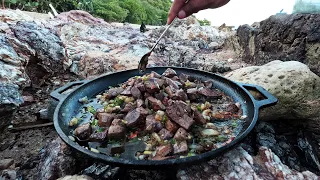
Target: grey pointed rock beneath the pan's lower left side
56, 161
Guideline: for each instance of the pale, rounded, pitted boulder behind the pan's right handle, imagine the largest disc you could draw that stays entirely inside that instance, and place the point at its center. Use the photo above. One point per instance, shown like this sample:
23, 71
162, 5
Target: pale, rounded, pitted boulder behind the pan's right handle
295, 86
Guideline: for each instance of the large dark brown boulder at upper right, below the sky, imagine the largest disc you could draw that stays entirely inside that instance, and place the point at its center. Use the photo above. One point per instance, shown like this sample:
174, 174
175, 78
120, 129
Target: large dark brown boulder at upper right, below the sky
294, 37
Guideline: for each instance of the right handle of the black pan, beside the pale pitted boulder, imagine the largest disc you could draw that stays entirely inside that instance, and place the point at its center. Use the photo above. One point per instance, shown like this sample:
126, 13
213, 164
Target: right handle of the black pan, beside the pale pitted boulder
269, 98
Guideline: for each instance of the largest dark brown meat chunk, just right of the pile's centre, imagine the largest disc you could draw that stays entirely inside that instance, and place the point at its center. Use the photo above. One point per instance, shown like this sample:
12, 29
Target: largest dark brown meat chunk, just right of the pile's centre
179, 115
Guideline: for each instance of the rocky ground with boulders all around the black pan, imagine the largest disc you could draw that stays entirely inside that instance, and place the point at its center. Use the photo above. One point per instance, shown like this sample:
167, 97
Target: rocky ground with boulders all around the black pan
39, 54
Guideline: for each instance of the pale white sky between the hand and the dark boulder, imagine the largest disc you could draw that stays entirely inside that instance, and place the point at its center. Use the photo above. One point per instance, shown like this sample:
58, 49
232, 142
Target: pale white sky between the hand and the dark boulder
238, 12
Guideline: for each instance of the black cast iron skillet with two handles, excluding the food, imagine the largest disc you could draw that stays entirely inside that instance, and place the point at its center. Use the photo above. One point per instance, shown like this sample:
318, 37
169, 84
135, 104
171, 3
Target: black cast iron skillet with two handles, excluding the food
69, 106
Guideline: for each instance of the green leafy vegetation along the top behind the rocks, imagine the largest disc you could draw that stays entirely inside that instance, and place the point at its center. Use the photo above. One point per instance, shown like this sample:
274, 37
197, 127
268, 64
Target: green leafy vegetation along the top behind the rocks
152, 12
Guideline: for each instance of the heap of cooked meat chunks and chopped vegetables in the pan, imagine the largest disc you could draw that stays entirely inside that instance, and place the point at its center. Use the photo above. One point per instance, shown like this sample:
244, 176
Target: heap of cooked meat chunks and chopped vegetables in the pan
157, 117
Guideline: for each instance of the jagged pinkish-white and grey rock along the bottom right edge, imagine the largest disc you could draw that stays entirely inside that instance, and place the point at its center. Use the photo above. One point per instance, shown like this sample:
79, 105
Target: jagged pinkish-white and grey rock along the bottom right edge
238, 164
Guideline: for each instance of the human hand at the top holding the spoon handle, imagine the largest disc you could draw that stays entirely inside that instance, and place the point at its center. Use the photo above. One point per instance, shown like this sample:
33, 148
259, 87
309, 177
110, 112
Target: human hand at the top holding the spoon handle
182, 10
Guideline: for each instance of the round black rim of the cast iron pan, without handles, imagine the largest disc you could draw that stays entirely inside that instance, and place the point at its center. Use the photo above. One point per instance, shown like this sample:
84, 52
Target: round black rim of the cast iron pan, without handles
156, 163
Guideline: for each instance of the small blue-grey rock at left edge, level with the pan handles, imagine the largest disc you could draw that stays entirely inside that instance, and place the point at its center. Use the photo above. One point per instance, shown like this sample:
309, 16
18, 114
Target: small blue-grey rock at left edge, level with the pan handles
10, 99
